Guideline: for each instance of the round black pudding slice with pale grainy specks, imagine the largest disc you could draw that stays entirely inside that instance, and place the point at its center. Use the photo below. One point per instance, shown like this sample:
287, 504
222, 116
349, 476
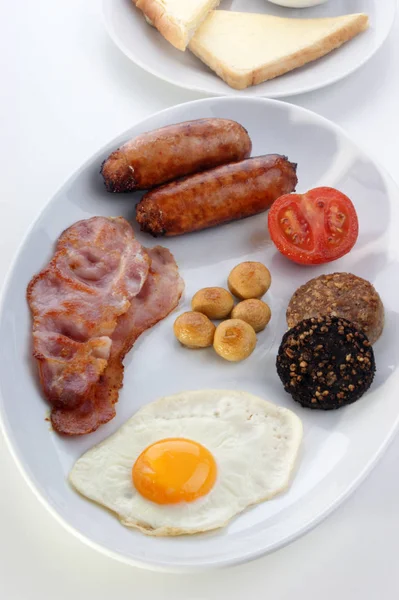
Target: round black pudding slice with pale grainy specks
325, 363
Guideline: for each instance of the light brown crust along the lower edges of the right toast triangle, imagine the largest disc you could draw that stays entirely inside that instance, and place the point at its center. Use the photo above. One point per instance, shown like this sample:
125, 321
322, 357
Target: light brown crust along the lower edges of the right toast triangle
274, 69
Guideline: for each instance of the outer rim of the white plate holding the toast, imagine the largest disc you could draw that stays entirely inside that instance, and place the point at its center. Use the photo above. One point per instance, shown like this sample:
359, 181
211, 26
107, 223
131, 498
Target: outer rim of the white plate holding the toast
106, 4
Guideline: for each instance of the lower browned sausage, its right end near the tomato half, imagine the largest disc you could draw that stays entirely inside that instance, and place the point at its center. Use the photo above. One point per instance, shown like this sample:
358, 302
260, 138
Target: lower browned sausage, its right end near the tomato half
217, 196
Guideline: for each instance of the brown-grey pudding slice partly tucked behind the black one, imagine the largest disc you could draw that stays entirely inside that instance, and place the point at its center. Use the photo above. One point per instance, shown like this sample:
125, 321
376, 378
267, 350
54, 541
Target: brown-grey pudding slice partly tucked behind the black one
339, 295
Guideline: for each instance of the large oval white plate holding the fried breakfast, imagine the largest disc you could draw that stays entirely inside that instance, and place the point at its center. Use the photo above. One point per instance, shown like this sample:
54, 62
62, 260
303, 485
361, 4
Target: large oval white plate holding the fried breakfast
339, 447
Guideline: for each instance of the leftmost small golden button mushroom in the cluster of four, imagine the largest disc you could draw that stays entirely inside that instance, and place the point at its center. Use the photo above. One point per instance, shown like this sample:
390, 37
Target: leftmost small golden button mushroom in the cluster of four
194, 330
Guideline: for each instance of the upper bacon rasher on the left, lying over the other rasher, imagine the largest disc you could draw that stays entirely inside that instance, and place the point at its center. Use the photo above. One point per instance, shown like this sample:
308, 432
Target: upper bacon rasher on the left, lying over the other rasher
76, 300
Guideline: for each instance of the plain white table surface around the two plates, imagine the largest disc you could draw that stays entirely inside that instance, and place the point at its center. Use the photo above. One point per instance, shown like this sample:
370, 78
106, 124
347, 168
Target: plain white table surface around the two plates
65, 91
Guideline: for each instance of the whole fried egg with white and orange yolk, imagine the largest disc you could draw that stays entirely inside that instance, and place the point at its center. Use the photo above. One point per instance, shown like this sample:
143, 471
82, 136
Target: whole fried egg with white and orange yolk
166, 472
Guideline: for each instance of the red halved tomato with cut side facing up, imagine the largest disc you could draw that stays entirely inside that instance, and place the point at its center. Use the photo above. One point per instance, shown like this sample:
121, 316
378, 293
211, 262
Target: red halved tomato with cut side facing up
314, 228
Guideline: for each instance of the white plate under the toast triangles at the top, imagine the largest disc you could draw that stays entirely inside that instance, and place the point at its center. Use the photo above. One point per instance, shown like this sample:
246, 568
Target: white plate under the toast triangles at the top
148, 49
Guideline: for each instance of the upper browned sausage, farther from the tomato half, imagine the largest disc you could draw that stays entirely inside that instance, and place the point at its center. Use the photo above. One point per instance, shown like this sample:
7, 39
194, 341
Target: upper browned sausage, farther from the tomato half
159, 156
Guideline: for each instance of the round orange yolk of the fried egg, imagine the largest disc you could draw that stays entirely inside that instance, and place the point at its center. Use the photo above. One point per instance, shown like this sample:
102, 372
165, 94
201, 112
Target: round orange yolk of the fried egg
174, 470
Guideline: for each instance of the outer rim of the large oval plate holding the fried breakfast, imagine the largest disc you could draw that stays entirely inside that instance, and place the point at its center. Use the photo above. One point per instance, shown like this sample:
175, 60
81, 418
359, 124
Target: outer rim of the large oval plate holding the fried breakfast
159, 565
